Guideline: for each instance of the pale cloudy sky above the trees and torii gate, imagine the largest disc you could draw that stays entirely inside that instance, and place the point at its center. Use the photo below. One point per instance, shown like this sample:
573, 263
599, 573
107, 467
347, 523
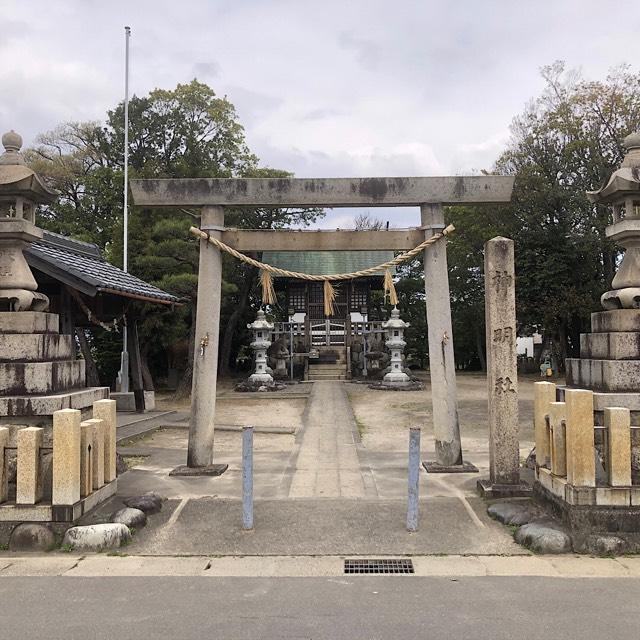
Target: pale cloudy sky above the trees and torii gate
325, 88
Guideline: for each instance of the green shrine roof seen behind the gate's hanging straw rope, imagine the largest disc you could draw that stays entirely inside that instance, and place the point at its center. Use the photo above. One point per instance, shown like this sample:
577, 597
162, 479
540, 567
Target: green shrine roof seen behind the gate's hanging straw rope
326, 262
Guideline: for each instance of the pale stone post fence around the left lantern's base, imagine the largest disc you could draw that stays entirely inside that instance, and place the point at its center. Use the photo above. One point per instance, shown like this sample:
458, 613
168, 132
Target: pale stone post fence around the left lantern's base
82, 472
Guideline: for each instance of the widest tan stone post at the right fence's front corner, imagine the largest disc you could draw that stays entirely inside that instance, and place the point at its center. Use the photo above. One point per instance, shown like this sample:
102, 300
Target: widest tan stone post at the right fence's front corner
580, 438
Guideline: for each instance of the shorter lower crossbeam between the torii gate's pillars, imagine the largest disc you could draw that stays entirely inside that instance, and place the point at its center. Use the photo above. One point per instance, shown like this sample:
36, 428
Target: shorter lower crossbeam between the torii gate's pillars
339, 240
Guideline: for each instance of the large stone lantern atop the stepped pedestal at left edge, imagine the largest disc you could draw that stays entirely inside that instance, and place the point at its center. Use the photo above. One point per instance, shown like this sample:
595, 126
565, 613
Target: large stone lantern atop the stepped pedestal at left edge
21, 190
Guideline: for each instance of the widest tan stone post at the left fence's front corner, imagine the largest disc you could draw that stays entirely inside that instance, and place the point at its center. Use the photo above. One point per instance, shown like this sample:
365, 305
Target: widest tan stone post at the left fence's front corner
66, 457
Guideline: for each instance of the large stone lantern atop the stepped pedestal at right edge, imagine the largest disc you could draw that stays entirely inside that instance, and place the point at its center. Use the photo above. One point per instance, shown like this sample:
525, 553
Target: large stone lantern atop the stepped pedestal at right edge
622, 192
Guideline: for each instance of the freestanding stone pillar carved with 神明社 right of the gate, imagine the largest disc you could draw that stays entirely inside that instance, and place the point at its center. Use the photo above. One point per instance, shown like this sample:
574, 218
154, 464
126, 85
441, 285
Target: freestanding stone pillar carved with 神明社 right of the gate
502, 364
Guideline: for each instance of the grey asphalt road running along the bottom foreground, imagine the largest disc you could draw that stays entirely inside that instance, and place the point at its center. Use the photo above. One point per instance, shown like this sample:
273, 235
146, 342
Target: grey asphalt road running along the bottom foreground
393, 607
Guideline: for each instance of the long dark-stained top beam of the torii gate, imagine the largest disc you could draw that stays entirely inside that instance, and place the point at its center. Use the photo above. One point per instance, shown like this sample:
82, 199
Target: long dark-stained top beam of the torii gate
321, 192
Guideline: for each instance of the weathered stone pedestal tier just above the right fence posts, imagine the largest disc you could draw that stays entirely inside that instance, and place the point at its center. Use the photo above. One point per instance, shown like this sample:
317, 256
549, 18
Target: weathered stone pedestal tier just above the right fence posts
603, 375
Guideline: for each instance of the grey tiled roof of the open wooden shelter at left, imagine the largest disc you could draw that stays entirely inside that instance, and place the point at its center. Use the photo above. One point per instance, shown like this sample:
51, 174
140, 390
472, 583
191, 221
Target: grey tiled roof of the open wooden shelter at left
81, 266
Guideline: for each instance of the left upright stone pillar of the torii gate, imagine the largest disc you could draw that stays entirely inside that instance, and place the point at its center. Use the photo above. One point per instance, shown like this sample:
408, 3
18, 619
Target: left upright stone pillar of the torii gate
205, 359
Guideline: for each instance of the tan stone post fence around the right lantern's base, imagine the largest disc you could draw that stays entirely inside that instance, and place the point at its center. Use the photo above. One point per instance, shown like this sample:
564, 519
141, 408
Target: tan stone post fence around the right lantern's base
569, 445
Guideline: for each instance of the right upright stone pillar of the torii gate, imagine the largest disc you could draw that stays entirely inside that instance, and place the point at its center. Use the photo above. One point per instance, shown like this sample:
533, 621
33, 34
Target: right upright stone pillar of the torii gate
446, 428
